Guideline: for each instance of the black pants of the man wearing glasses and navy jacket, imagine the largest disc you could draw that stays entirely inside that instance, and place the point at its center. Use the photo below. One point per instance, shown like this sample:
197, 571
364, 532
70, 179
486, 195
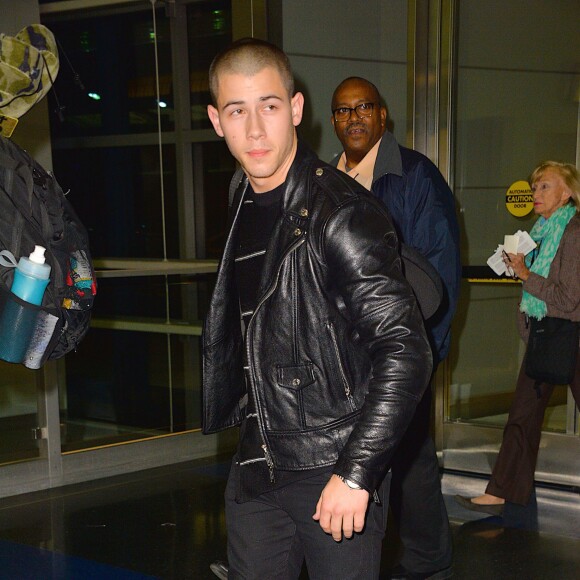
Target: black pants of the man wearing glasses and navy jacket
416, 498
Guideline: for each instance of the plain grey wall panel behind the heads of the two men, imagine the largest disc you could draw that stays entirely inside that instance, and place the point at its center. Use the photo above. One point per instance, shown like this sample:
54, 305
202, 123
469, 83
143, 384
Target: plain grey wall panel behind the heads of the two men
329, 40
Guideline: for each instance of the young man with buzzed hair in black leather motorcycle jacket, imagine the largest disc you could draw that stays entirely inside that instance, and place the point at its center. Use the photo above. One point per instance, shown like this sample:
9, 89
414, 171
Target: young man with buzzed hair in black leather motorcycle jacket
313, 343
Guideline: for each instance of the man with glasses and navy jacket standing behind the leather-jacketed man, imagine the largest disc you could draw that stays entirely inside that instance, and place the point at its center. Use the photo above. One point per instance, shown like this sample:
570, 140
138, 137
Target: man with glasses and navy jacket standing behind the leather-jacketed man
422, 208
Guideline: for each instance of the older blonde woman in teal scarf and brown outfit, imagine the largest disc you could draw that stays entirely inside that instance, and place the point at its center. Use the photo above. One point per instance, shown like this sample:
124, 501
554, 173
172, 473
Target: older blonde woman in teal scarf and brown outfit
551, 287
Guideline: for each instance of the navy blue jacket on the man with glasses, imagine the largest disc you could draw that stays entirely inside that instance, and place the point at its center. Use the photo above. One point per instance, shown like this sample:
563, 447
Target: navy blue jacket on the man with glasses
422, 208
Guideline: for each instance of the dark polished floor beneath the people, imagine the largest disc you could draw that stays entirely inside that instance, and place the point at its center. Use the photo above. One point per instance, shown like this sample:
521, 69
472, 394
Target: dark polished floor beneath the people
168, 523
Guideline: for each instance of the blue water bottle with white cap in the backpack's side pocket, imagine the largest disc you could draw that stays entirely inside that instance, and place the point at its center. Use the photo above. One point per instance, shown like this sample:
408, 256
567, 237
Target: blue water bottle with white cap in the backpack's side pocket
17, 322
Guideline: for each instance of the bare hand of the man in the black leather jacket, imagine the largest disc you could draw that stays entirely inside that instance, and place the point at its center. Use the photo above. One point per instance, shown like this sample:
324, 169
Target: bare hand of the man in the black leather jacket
340, 509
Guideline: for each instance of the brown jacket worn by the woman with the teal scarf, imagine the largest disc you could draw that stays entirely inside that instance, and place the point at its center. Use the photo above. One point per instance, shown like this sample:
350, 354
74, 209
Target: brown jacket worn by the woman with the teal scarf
561, 292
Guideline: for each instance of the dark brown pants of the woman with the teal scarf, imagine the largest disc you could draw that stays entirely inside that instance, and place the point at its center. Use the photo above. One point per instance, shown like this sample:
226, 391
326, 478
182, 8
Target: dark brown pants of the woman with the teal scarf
513, 473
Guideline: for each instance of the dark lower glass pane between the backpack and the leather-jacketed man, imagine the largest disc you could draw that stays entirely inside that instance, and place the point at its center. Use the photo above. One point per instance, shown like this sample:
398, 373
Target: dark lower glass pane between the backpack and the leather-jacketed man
127, 394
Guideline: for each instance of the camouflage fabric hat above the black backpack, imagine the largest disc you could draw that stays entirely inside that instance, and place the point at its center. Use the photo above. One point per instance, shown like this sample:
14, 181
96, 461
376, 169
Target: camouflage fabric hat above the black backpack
28, 67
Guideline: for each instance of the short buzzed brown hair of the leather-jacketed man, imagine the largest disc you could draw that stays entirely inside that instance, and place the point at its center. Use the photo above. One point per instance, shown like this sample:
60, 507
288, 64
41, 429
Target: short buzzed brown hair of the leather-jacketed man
248, 56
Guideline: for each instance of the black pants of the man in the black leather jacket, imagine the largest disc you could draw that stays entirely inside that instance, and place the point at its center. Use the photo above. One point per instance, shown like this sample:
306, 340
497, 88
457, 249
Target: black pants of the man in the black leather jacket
270, 537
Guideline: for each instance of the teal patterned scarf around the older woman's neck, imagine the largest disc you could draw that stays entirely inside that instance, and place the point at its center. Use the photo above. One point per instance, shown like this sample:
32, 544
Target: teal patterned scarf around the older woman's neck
547, 233
